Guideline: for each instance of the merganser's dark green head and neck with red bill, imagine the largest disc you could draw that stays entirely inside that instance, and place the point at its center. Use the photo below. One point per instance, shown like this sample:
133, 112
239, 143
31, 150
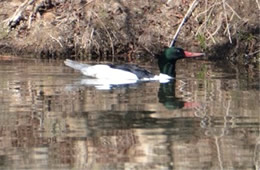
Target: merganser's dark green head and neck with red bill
169, 57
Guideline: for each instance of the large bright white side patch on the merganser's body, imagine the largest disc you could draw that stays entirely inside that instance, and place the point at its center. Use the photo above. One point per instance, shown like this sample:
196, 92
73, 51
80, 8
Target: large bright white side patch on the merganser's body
106, 72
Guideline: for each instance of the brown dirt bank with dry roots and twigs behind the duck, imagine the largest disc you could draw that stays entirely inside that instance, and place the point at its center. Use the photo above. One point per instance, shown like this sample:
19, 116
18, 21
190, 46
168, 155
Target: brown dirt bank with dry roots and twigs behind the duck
129, 30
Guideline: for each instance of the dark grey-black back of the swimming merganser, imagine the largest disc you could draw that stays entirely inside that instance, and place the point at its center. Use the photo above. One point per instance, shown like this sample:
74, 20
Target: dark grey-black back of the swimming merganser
138, 71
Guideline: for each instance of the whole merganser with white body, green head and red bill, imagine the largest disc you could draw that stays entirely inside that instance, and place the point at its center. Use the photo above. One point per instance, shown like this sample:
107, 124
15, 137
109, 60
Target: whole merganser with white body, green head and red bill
134, 73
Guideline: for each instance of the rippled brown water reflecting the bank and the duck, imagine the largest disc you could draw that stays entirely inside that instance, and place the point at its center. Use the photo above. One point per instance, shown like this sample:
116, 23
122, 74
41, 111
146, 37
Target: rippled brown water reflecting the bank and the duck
207, 119
